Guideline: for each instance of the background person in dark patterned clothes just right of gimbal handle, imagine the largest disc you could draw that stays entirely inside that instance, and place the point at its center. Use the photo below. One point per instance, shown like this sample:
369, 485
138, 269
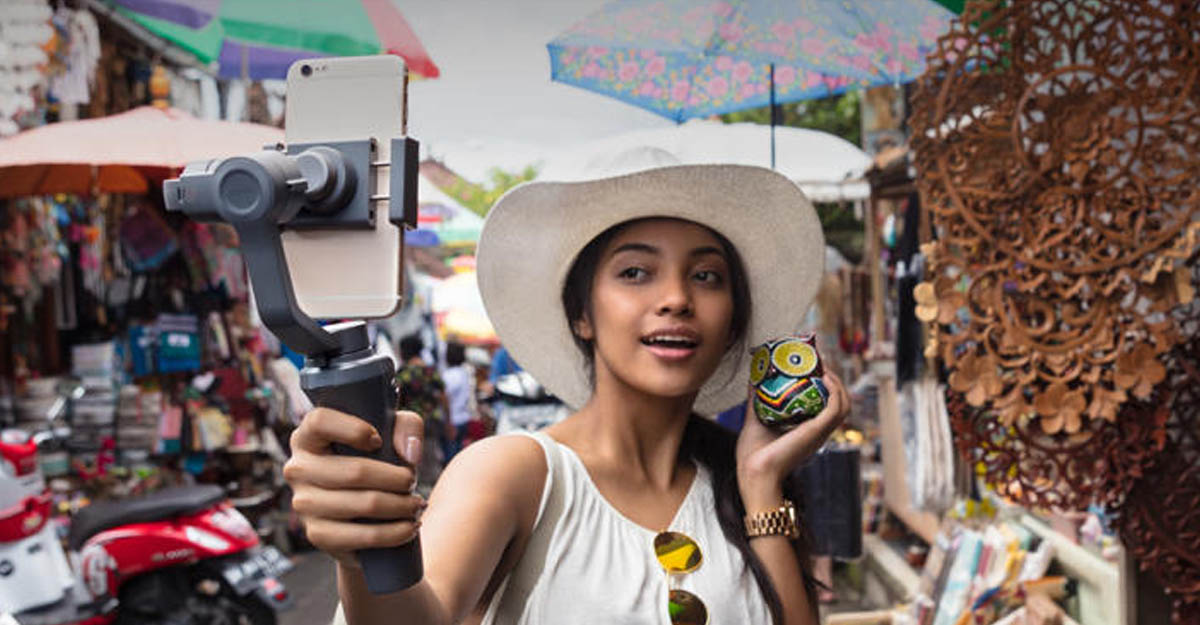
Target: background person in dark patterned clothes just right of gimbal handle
423, 392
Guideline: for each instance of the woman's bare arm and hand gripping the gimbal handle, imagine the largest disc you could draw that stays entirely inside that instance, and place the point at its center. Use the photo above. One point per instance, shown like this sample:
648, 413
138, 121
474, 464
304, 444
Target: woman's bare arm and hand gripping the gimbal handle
488, 497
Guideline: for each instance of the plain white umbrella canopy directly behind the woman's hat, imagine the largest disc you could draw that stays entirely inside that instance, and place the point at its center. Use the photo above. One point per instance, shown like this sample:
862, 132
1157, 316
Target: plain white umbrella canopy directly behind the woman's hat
827, 167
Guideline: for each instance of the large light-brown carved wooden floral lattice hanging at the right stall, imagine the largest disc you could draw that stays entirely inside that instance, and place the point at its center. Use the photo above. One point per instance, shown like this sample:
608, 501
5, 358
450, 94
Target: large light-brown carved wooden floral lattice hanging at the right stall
1052, 274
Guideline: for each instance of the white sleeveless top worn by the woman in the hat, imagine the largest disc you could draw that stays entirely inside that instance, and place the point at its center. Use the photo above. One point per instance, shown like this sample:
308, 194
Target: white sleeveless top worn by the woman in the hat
586, 563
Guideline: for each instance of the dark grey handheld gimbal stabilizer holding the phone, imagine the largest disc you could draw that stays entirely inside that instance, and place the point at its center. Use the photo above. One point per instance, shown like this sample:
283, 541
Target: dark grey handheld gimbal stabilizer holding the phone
315, 187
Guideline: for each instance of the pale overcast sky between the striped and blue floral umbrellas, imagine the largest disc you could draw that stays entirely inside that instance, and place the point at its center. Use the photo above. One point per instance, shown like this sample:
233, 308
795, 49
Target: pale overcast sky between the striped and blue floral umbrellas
495, 105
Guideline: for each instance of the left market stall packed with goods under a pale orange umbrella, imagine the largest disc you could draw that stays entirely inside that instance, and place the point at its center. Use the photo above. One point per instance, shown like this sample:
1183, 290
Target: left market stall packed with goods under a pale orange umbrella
128, 347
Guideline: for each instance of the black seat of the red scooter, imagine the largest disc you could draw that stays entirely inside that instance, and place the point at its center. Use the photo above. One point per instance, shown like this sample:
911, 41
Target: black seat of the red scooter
157, 507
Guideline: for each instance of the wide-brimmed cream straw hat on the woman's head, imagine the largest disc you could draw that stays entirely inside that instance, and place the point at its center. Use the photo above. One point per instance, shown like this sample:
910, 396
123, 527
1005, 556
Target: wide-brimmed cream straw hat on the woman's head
535, 233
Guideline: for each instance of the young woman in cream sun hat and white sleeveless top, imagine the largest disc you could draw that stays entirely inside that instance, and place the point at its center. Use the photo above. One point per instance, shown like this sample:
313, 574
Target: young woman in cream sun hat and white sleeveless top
634, 299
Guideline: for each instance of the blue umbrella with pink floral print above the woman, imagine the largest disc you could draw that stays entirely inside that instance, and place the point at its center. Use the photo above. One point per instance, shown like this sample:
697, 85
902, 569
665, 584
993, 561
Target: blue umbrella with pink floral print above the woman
686, 59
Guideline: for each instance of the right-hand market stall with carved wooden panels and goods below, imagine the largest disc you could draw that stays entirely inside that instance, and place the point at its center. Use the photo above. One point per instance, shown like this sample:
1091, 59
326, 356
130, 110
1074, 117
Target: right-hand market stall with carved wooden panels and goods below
1033, 274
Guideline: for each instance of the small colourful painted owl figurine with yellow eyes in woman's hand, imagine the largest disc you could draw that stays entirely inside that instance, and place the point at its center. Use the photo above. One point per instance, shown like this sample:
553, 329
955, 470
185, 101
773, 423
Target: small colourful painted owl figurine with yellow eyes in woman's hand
787, 377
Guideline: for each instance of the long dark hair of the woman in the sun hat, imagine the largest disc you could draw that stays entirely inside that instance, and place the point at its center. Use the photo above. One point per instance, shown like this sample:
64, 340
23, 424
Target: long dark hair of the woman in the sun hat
704, 442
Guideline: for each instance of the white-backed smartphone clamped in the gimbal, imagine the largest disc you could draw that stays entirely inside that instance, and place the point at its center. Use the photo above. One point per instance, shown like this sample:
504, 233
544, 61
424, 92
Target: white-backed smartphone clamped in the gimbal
341, 274
